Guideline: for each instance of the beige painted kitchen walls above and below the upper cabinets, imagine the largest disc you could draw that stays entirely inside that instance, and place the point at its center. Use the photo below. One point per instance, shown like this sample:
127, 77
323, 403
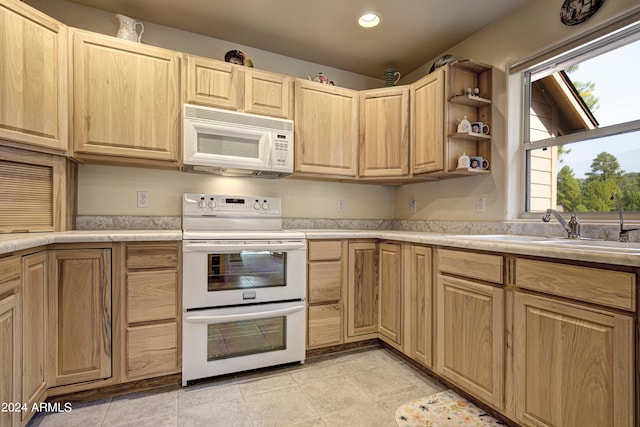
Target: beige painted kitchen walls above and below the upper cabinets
526, 33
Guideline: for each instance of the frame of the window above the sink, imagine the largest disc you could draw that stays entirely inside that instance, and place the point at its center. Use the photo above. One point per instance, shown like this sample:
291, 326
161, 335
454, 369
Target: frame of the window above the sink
589, 49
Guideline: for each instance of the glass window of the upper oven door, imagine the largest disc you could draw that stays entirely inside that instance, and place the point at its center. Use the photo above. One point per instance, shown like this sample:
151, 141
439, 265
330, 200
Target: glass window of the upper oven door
246, 270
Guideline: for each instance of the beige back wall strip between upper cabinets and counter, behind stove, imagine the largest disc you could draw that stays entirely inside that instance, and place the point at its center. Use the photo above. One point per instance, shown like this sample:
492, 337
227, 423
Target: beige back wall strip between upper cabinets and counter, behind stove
110, 190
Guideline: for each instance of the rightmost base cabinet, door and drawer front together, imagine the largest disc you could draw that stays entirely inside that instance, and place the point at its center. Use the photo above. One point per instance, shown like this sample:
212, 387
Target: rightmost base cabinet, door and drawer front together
573, 361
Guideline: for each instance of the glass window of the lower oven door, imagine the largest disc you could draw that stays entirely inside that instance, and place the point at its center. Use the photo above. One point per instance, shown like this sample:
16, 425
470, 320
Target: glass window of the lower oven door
245, 337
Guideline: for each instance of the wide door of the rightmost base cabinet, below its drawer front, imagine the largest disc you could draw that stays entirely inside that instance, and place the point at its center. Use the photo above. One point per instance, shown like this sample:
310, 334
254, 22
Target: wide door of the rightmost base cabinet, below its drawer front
573, 364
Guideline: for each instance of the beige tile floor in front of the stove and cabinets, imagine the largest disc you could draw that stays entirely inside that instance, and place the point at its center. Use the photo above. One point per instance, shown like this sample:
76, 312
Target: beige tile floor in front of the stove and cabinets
356, 388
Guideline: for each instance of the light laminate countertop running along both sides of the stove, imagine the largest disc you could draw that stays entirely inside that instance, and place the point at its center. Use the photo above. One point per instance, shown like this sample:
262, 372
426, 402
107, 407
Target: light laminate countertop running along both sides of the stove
21, 241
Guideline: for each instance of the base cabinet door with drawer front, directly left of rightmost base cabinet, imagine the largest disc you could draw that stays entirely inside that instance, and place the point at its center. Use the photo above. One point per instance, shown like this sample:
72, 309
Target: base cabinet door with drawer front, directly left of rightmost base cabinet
470, 323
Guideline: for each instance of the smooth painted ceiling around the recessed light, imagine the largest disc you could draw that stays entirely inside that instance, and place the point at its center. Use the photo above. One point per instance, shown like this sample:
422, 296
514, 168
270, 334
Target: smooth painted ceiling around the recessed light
411, 33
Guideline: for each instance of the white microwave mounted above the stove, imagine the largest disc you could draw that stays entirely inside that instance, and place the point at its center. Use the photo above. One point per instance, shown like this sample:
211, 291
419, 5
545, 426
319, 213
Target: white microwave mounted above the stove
236, 144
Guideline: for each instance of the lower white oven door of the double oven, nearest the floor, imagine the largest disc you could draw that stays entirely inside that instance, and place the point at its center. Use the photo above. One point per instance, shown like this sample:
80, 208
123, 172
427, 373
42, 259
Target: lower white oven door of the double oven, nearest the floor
233, 339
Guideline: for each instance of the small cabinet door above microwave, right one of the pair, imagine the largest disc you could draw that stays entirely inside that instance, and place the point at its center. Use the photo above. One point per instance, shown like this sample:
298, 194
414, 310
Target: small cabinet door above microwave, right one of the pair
268, 94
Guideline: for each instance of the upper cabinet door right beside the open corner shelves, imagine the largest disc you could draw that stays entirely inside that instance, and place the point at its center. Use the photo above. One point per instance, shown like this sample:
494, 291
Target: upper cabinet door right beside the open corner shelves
427, 118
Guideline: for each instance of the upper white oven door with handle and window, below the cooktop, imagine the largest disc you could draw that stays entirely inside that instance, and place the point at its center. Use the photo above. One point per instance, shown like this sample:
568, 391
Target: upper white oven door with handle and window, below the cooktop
222, 273
